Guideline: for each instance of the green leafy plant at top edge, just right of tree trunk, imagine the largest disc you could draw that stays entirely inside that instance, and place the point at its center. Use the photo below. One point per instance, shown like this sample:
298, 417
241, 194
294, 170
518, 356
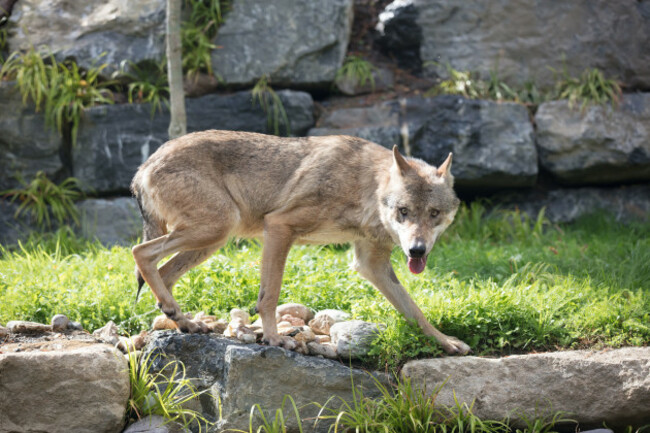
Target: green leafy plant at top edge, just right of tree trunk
197, 33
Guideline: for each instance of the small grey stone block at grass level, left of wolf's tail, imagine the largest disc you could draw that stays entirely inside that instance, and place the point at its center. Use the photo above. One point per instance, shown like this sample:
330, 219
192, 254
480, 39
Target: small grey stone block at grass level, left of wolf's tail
115, 221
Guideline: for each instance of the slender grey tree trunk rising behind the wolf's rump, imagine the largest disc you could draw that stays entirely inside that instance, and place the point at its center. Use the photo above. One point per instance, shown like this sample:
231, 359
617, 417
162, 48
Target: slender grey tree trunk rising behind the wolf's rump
178, 122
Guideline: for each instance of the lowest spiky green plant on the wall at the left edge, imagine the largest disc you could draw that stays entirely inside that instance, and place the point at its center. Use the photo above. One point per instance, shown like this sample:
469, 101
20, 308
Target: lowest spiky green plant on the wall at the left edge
42, 199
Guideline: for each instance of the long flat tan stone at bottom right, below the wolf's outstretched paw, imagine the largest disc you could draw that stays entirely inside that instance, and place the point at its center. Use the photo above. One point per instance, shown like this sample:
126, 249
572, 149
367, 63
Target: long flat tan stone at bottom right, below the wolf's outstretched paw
562, 381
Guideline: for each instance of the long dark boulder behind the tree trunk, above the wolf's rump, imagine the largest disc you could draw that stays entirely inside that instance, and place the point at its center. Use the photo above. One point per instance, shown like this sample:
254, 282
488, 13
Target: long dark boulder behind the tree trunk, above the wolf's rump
114, 140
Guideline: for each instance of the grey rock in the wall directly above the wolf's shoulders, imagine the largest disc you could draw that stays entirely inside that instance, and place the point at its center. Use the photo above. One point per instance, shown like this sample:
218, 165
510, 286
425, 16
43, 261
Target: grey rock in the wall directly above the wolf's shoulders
377, 123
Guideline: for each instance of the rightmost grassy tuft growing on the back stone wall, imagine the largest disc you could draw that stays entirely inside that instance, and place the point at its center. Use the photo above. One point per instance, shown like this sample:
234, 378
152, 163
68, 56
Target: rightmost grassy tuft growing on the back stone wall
590, 88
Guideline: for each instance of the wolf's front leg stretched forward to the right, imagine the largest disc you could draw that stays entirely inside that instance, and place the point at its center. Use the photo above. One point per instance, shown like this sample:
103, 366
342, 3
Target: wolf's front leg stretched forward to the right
373, 263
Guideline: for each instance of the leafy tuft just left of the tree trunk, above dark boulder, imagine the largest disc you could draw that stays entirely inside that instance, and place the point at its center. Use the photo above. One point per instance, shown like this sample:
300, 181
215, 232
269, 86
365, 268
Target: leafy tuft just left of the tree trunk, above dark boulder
148, 84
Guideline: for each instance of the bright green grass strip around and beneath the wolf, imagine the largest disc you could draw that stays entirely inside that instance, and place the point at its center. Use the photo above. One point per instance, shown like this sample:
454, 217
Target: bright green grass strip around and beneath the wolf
502, 282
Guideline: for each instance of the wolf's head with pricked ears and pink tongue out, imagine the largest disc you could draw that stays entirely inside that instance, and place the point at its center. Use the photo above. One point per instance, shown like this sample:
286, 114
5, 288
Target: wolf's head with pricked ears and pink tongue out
417, 204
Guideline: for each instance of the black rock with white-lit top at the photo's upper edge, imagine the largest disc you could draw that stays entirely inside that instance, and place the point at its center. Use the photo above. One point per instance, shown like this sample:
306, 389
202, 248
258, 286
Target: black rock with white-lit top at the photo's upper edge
399, 35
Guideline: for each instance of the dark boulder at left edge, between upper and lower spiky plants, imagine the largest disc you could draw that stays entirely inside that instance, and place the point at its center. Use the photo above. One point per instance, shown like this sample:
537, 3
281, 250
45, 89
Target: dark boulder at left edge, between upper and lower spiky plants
27, 145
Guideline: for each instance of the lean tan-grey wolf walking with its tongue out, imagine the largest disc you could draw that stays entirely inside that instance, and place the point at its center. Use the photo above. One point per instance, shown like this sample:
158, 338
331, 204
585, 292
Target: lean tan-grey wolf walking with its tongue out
198, 191
